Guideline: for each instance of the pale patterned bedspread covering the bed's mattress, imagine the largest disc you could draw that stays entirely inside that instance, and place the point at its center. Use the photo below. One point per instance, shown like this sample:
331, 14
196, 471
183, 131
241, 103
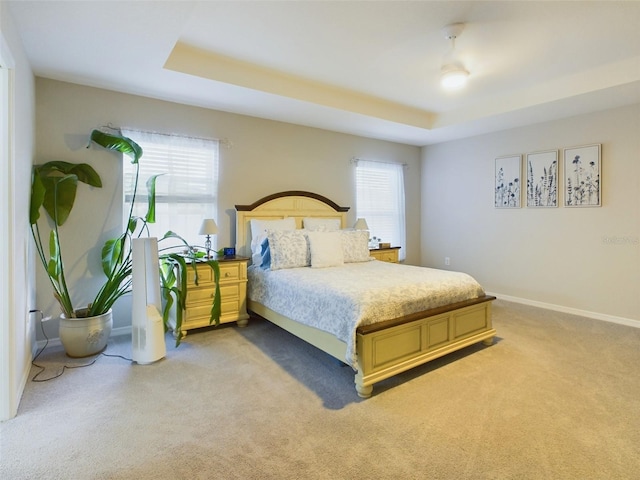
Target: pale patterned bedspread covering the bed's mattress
339, 299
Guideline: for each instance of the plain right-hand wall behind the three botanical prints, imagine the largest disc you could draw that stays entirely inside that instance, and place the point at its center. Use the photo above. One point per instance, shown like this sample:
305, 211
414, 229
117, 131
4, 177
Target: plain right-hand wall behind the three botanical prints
581, 258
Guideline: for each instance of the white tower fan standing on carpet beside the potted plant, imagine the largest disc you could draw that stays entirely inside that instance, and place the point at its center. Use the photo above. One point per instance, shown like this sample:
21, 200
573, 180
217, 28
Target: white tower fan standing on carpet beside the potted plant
147, 328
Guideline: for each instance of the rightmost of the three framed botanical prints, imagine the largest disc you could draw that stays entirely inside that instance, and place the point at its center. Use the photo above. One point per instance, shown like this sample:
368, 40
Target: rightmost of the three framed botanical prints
582, 184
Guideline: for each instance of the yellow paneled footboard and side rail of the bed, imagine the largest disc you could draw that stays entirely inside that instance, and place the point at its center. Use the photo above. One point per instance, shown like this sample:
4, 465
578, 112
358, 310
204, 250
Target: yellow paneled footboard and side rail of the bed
388, 348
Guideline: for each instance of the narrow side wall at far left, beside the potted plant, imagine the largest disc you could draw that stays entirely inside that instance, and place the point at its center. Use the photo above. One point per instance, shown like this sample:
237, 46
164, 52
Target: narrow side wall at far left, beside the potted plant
17, 351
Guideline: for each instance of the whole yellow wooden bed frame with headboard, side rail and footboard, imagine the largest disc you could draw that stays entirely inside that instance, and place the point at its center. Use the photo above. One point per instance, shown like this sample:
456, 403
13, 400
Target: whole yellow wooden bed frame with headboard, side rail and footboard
383, 349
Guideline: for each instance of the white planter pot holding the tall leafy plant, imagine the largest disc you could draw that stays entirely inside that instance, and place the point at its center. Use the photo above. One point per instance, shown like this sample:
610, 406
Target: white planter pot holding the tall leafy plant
82, 337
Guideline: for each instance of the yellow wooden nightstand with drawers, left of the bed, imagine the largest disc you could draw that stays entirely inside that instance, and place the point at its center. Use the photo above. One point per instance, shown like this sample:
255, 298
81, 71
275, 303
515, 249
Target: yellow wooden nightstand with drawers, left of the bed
233, 294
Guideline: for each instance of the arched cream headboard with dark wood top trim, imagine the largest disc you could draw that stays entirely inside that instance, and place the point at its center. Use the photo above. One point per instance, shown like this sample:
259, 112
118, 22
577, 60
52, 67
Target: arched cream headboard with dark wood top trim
296, 204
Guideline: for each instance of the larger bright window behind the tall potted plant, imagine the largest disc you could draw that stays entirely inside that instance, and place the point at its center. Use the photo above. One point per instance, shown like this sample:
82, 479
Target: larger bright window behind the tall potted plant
186, 193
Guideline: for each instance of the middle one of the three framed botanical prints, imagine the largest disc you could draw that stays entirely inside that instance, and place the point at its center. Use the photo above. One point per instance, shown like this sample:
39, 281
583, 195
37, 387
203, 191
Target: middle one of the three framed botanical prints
542, 179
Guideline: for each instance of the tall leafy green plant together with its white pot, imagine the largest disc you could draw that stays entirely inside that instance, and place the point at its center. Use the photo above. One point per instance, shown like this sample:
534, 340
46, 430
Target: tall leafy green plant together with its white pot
85, 331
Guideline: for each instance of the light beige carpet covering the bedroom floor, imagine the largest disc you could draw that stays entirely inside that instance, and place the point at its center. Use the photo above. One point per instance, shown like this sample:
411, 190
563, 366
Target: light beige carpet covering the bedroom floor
556, 397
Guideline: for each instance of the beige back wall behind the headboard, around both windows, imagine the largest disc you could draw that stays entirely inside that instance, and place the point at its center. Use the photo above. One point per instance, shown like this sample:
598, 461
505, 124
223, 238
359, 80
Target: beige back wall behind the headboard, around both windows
265, 157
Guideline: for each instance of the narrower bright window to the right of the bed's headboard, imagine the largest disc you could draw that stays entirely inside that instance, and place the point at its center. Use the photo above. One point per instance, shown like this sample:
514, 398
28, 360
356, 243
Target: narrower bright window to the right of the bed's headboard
380, 200
